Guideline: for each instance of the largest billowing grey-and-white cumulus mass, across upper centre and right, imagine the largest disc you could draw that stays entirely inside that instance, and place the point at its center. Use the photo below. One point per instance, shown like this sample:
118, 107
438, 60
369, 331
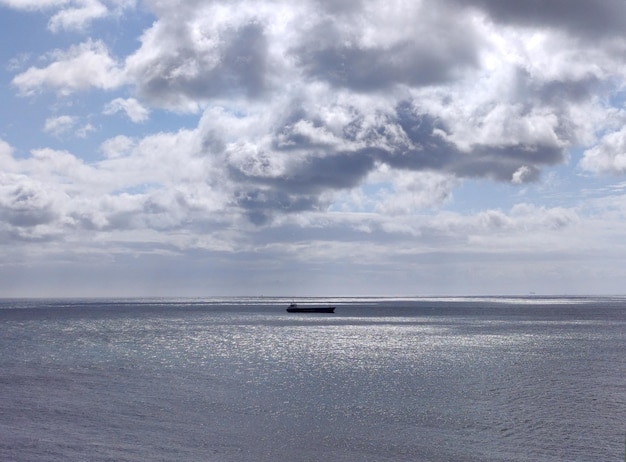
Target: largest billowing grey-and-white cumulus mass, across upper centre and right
389, 87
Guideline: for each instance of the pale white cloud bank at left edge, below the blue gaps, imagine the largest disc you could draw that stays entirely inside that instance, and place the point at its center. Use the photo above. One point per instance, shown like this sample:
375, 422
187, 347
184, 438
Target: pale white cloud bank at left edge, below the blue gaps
139, 187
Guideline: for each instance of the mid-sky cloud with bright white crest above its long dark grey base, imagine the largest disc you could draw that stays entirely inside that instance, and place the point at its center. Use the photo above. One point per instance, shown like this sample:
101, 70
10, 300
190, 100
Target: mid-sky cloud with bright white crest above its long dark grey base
338, 153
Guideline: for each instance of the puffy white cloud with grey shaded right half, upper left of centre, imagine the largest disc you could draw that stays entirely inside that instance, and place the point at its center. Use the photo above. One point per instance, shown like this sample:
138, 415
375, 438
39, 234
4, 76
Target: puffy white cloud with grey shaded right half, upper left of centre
185, 61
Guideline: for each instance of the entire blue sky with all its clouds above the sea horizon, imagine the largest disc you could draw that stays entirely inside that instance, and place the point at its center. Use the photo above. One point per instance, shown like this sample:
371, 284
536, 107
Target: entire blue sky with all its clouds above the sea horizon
318, 148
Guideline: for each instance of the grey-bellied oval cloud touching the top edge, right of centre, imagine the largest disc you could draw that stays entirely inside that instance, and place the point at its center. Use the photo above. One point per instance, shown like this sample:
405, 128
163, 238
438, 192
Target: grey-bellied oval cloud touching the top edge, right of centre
392, 45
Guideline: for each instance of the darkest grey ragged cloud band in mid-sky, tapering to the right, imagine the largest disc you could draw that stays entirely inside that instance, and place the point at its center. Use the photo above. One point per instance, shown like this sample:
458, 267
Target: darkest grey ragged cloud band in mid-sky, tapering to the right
422, 147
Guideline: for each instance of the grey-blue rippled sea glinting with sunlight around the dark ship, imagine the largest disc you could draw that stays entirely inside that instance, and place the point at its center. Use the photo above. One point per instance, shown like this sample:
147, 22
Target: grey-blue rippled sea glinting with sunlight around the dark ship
382, 379
